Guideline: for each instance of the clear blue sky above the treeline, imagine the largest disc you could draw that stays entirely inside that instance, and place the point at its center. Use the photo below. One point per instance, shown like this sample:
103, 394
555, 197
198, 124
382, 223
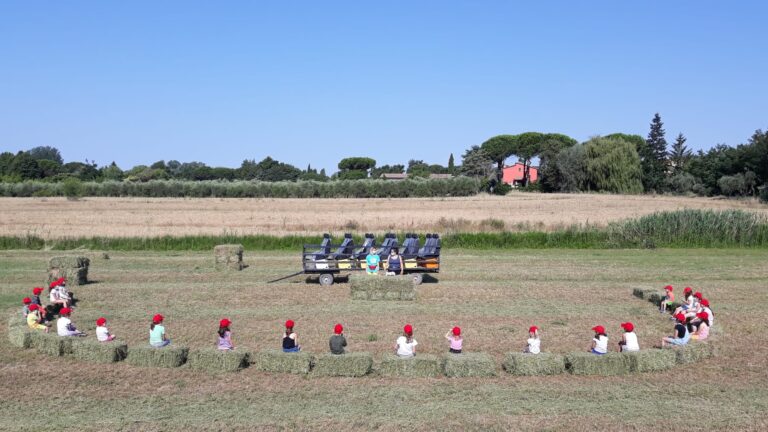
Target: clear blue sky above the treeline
313, 82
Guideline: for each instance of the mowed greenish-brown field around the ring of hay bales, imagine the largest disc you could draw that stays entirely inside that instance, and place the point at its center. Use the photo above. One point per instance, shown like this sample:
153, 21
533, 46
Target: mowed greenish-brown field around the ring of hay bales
494, 296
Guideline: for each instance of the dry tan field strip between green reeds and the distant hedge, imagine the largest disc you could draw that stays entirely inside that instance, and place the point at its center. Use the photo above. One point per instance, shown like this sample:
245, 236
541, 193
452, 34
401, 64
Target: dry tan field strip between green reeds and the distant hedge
148, 217
